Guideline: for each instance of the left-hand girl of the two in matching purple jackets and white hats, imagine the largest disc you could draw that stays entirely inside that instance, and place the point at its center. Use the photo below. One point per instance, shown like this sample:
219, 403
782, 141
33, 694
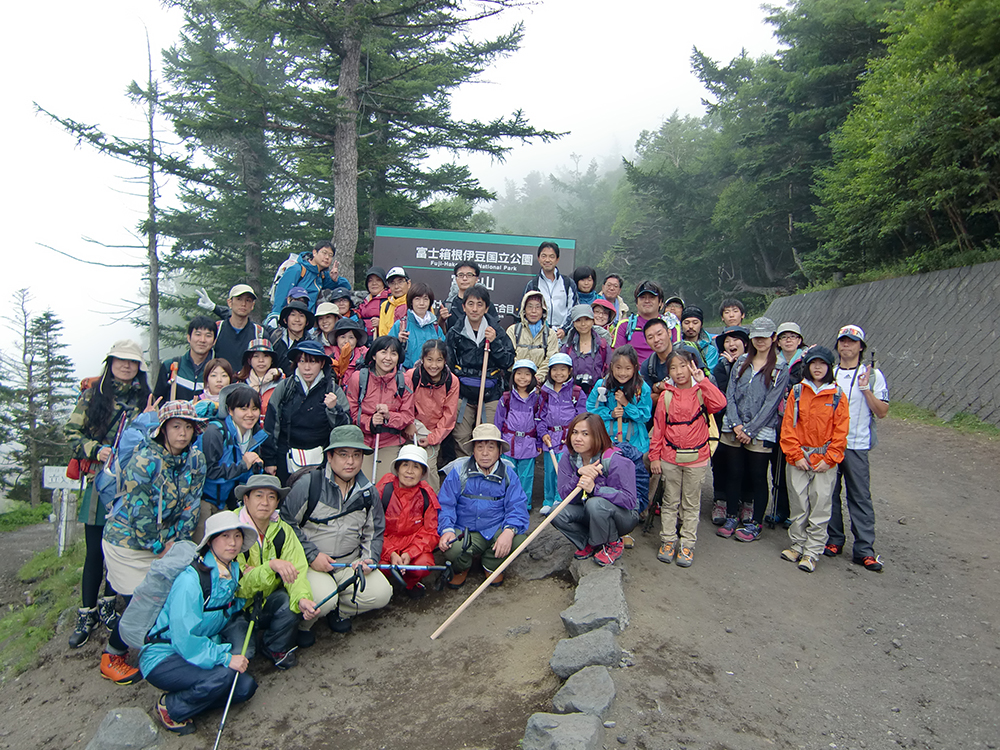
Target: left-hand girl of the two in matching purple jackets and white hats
517, 420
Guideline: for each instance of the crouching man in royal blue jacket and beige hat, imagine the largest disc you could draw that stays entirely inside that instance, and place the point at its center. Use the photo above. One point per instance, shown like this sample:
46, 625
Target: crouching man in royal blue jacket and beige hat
482, 496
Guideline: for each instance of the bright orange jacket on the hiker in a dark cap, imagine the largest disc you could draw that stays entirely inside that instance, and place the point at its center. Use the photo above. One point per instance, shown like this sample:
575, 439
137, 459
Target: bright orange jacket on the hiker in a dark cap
817, 424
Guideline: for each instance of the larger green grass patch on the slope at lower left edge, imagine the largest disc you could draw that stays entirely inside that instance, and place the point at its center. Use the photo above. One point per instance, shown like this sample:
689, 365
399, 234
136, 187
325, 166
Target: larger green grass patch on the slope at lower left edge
55, 587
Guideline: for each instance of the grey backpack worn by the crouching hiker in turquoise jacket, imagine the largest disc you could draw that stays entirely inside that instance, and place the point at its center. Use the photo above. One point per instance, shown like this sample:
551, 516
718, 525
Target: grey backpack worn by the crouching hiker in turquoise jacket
139, 619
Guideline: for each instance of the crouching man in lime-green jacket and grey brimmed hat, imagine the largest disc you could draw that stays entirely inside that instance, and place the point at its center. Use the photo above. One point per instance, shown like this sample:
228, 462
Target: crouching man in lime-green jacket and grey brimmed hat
275, 567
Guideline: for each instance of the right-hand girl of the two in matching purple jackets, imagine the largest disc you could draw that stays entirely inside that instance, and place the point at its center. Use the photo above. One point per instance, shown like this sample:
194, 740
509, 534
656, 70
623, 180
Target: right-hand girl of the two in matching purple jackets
561, 400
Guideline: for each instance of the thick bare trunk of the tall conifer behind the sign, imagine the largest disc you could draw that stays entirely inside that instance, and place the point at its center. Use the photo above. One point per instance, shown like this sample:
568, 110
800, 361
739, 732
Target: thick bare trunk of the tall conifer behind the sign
345, 153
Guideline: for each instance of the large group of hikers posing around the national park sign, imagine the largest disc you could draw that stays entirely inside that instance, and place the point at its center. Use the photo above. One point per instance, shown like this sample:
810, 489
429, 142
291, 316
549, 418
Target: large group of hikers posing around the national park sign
353, 444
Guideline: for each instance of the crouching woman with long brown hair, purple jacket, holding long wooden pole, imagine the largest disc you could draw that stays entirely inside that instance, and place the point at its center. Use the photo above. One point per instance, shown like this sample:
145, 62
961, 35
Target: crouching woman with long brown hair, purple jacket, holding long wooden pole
608, 508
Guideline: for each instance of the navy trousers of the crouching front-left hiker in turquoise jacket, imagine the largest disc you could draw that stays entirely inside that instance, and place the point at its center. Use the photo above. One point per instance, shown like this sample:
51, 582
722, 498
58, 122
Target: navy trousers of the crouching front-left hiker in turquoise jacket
191, 690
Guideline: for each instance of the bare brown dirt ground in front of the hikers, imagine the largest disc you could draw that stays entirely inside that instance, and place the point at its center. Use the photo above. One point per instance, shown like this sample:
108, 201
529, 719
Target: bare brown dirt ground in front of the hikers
741, 651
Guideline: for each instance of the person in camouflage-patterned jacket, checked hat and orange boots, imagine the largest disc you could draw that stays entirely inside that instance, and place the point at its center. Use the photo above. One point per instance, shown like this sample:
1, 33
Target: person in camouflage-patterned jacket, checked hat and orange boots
163, 486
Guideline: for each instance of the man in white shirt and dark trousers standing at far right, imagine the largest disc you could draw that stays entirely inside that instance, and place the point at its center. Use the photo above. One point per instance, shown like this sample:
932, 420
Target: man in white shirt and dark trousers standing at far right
868, 400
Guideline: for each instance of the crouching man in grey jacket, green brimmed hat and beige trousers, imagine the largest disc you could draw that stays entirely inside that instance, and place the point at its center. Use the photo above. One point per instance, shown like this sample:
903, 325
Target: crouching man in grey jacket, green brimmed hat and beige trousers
336, 515
